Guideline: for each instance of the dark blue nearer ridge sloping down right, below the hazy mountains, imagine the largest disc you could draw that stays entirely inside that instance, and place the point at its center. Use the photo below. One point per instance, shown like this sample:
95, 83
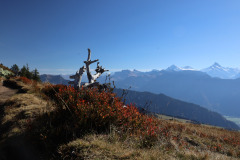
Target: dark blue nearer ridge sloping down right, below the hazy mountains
162, 104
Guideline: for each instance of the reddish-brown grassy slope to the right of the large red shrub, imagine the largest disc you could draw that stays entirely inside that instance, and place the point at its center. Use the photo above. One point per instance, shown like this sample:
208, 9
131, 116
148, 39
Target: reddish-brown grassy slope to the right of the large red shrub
205, 138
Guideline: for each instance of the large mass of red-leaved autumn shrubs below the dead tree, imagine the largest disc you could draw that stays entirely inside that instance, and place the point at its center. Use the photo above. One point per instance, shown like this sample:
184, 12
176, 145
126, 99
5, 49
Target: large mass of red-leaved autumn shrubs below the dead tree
91, 109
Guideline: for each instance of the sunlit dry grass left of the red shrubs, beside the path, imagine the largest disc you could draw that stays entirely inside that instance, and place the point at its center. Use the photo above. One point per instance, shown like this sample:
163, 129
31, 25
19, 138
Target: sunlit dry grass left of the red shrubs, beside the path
21, 109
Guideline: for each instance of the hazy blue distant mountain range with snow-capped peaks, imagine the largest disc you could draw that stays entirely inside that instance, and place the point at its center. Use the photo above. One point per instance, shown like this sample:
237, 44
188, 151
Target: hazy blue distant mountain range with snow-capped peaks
186, 84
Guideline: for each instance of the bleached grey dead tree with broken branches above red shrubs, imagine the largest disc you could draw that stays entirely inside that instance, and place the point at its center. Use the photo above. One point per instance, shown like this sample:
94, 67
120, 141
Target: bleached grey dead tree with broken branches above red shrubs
91, 78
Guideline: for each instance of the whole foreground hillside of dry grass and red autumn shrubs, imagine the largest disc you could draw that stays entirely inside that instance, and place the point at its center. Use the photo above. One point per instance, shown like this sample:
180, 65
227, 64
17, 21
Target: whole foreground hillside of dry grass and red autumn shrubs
58, 122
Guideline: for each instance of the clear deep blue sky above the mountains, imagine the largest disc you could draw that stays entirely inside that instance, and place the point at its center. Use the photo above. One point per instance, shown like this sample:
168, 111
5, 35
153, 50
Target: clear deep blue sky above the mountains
53, 35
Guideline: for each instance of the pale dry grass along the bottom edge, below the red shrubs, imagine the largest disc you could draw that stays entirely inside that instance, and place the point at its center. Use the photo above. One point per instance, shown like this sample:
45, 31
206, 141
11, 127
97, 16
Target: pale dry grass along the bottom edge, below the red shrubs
102, 147
